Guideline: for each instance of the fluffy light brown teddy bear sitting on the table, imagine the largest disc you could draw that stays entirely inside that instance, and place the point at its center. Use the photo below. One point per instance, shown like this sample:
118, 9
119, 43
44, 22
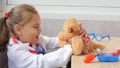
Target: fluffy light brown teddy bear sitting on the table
74, 34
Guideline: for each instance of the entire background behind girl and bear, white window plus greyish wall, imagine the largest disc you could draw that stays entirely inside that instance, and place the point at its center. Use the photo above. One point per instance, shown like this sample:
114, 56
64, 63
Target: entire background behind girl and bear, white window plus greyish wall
98, 16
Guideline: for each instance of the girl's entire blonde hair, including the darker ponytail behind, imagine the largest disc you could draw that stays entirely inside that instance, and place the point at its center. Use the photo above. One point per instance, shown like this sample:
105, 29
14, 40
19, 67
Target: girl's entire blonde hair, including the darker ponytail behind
20, 14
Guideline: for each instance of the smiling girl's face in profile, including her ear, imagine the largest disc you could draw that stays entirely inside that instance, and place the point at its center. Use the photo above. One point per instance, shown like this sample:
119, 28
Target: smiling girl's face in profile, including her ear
30, 31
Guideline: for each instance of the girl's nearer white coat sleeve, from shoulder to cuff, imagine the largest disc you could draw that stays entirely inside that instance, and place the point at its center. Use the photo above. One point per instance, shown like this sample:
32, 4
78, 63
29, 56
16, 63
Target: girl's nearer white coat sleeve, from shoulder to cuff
22, 58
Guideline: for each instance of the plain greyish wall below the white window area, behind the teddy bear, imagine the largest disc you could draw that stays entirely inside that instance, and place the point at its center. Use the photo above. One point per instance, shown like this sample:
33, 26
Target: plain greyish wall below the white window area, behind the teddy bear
51, 27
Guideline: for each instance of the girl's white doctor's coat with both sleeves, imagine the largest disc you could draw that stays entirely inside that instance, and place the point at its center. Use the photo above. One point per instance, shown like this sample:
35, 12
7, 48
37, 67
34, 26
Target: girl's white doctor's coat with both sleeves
20, 57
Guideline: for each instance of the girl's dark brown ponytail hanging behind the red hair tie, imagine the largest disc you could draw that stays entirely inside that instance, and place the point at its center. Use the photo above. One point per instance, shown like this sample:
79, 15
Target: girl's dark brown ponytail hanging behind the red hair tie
4, 34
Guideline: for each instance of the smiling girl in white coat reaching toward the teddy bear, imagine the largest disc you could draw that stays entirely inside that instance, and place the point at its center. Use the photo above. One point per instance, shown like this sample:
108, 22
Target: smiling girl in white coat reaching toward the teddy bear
27, 48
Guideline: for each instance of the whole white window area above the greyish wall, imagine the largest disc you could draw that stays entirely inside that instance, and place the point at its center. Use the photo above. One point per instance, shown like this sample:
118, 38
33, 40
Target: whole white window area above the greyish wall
82, 9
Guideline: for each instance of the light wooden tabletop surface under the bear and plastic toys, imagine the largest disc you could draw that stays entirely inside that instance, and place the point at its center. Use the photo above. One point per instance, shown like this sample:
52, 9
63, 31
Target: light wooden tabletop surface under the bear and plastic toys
111, 45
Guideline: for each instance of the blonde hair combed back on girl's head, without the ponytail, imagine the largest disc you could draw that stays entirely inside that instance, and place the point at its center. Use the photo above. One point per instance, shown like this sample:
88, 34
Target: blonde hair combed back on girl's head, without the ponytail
20, 15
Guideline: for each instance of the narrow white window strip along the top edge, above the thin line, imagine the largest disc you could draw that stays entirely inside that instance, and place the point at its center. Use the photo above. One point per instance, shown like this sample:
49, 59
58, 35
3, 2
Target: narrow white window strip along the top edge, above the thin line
80, 3
